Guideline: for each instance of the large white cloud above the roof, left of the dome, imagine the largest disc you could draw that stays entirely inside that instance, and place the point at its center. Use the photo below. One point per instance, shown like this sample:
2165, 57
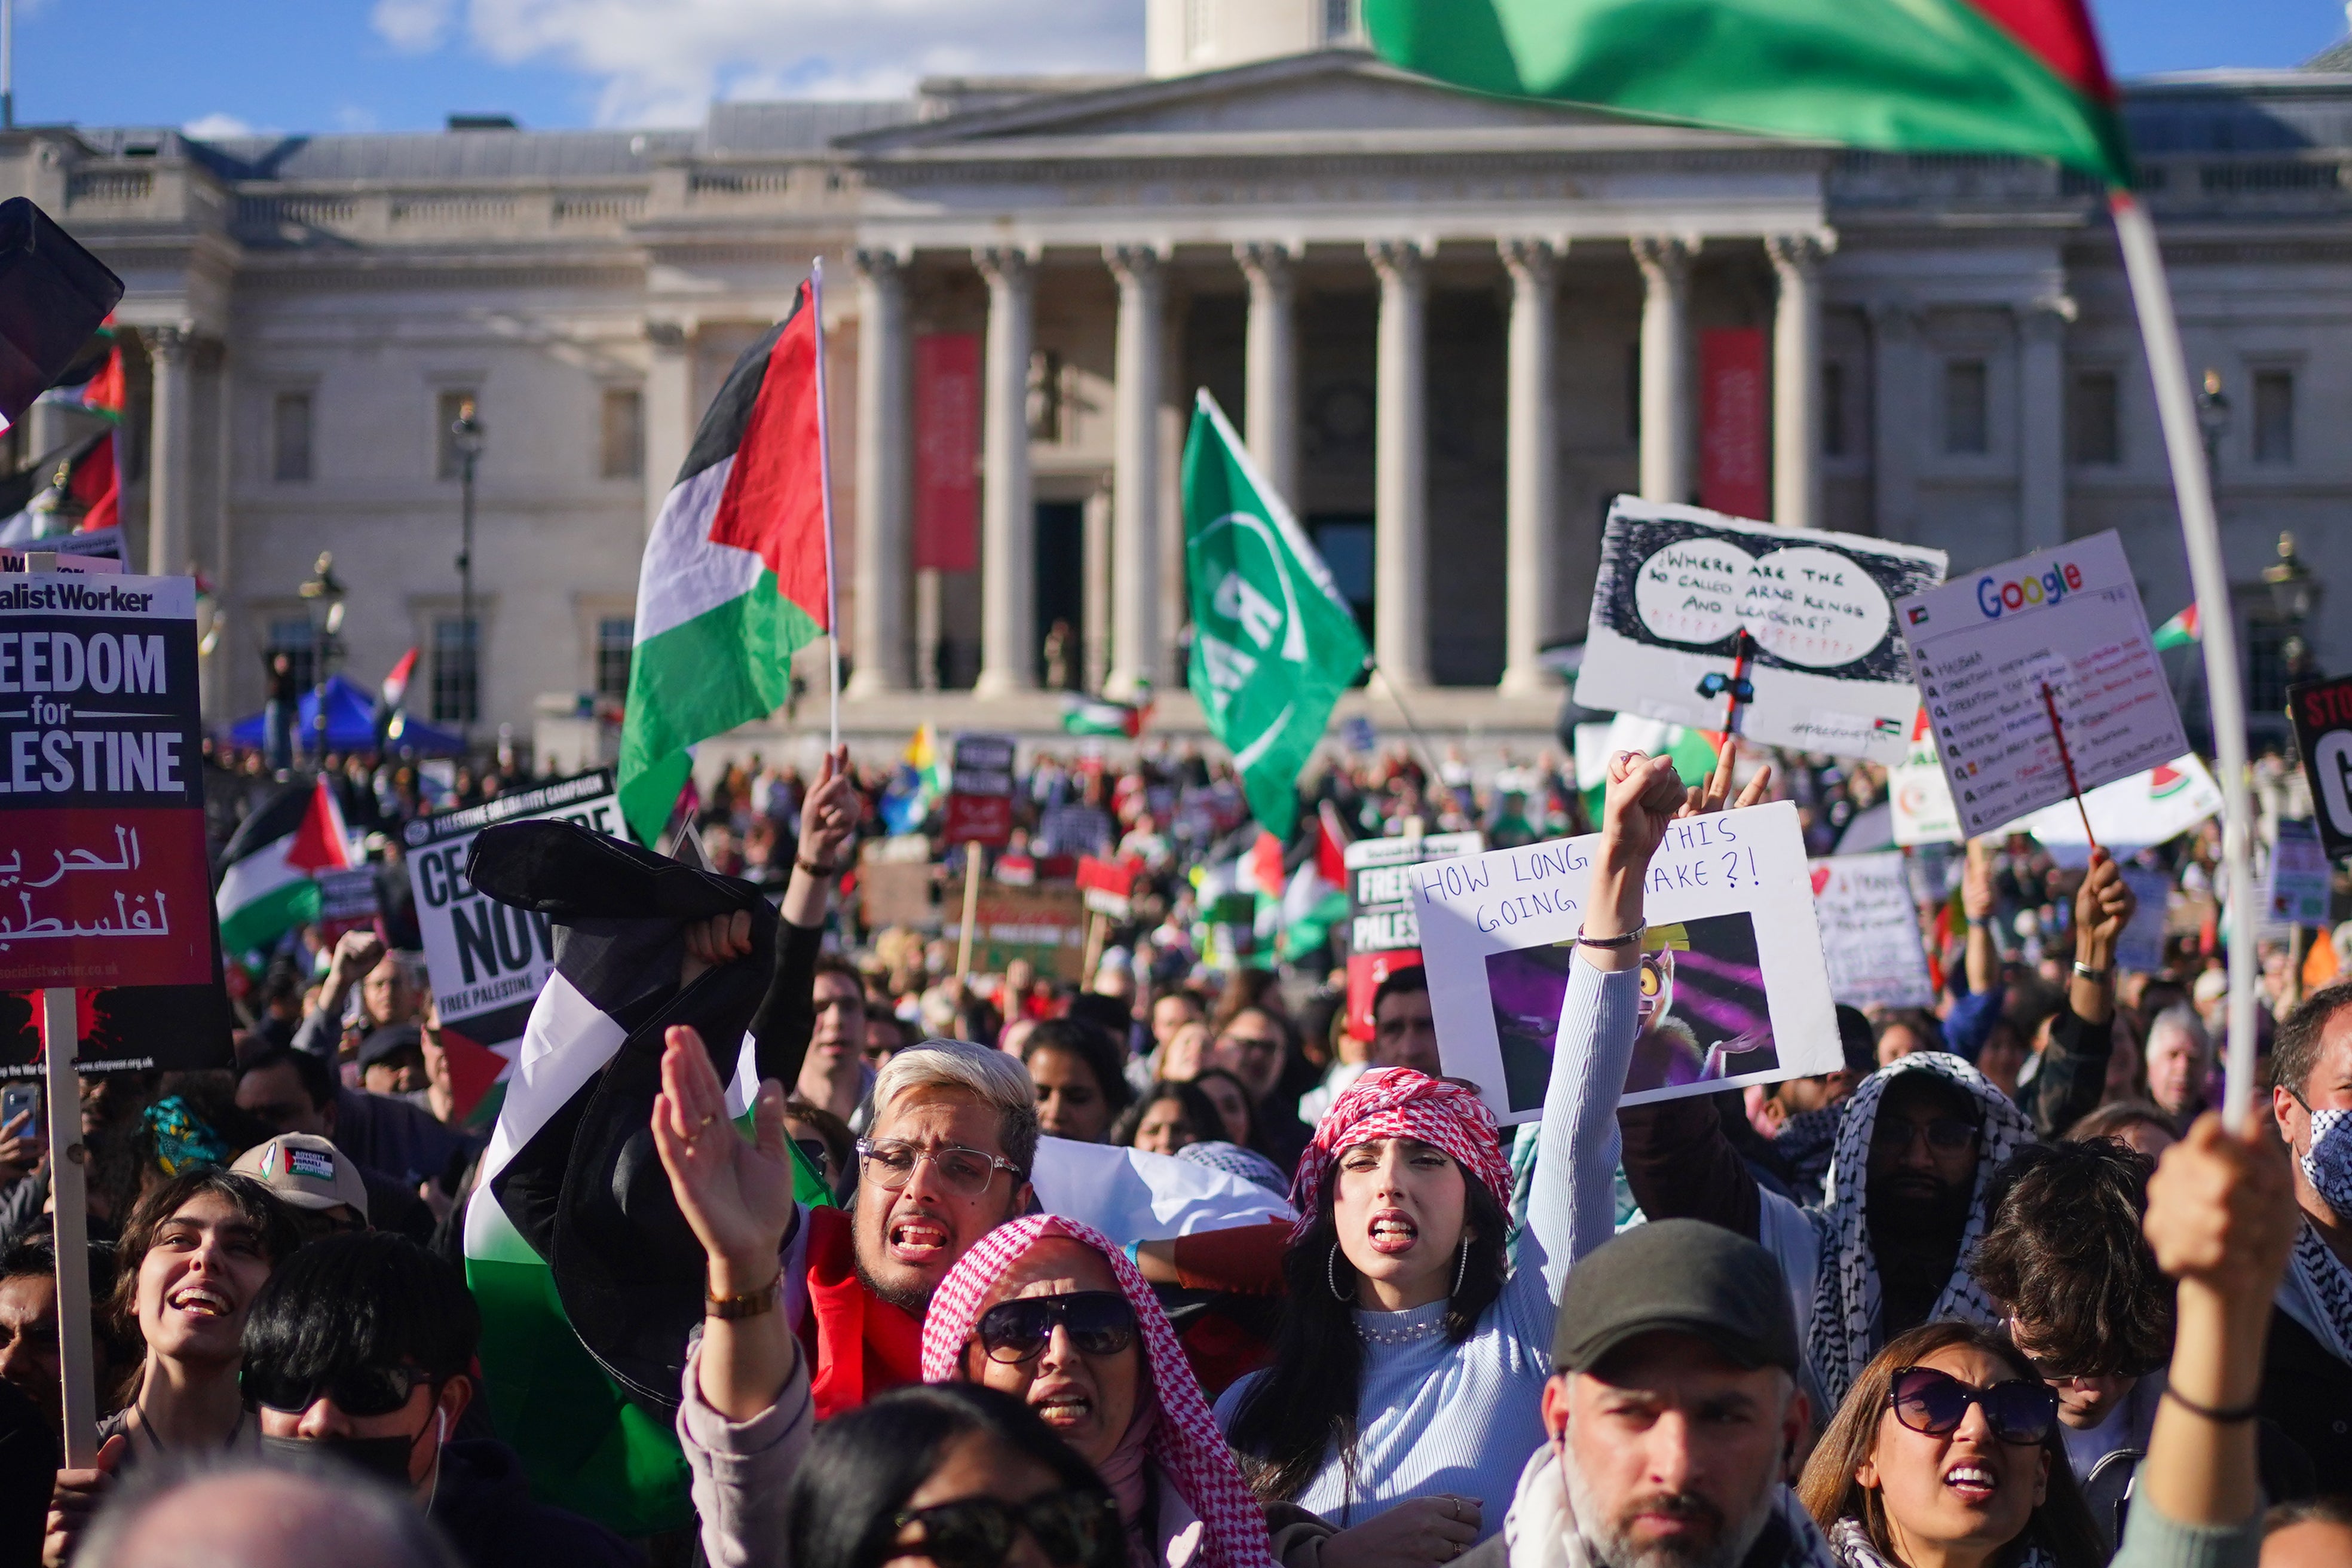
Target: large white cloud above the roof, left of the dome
662, 62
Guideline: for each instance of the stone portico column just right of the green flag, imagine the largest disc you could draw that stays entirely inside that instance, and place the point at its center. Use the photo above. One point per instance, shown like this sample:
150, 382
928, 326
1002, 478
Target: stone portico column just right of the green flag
1401, 577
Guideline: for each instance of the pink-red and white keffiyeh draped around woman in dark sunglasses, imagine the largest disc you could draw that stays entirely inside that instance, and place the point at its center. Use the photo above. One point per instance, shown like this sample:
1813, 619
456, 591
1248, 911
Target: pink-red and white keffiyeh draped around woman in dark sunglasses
1187, 1445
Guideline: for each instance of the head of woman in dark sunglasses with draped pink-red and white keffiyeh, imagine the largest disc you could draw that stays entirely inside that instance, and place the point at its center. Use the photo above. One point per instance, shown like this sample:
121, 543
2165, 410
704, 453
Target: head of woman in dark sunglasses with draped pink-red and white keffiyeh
1055, 1315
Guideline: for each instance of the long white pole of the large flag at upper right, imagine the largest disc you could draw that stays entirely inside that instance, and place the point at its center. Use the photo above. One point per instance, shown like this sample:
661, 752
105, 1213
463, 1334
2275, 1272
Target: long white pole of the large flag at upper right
2200, 528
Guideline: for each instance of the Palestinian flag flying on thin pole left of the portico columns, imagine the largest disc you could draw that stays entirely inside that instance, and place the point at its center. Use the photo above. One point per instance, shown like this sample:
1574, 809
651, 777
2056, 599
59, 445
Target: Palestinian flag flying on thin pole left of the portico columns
737, 575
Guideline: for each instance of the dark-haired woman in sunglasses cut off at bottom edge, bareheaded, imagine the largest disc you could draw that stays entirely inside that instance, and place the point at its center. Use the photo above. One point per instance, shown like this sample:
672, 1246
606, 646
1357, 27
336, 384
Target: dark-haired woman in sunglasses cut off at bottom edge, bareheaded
954, 1477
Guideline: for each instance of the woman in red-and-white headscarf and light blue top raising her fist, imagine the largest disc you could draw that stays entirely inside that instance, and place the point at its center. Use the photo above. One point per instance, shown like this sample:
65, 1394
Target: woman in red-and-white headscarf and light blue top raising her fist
1412, 1355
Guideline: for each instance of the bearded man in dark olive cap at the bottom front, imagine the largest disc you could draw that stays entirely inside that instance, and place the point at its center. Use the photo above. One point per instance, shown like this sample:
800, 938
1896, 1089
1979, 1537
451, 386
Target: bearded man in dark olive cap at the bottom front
1673, 1414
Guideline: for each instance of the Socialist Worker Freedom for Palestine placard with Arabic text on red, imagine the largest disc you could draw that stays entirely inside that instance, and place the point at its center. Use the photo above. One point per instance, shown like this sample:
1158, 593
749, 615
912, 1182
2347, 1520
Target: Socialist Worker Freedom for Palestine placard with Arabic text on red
102, 798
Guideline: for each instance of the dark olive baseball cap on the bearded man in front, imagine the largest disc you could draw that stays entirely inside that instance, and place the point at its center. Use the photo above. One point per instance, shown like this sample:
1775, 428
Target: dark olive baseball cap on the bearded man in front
1683, 1278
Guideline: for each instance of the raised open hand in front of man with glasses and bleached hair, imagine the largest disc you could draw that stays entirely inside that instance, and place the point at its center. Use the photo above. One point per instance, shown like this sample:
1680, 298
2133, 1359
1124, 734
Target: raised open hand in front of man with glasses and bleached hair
735, 1195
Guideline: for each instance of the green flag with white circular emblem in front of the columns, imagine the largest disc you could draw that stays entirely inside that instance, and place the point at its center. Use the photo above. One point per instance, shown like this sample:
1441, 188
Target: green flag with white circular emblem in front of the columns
1274, 645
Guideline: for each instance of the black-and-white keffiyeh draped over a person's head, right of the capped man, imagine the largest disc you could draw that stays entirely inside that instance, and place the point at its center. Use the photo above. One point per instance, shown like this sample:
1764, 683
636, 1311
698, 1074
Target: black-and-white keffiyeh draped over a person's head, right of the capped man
1847, 1280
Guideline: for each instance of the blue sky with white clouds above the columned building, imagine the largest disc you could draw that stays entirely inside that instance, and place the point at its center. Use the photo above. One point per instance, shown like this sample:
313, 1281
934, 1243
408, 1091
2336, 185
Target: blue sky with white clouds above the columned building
403, 65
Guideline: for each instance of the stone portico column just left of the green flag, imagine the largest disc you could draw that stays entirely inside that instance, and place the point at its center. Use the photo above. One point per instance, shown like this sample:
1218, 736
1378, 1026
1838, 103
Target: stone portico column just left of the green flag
1135, 490
